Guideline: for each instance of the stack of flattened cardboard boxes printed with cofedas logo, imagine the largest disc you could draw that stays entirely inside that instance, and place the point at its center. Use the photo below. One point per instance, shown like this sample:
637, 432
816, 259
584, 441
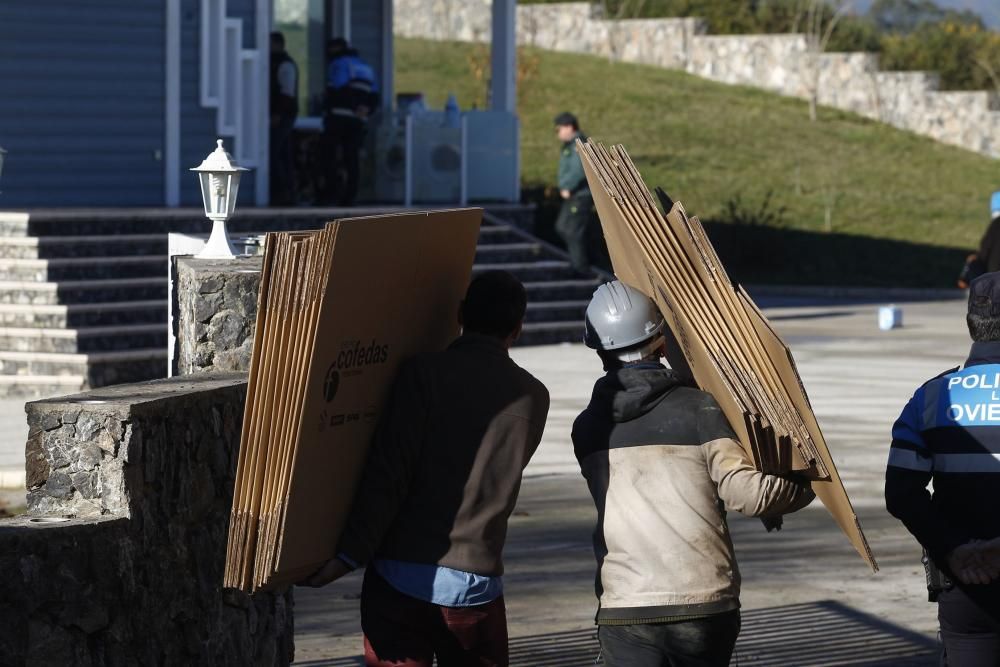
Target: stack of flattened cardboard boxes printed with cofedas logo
339, 309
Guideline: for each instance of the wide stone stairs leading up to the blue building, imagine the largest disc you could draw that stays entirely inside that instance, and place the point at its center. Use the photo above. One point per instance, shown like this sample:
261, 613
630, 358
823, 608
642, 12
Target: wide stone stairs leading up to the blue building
83, 295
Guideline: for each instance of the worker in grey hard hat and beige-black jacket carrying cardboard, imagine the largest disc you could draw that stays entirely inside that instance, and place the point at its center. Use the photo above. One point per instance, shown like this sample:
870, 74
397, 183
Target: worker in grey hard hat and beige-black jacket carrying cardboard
663, 466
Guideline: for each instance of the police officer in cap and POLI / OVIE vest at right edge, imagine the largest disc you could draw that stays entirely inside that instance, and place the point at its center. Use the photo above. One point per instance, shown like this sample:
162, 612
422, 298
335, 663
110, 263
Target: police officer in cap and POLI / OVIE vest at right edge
949, 434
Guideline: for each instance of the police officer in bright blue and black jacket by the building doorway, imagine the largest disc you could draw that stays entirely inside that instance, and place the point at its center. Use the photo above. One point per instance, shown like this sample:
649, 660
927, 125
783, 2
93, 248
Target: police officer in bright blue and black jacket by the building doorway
351, 97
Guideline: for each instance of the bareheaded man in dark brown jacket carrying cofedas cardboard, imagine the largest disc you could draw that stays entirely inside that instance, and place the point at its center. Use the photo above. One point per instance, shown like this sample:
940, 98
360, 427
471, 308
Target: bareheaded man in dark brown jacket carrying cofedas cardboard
442, 477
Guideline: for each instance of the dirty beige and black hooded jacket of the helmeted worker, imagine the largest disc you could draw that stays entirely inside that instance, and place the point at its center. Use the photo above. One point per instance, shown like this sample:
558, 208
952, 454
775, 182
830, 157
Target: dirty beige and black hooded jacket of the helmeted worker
663, 466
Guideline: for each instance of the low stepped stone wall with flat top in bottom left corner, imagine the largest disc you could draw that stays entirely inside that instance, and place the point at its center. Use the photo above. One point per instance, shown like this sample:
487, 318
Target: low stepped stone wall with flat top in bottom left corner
119, 559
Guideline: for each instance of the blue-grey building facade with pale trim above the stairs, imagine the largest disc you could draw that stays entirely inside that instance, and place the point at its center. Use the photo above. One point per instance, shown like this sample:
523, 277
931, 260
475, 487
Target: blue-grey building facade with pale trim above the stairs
109, 103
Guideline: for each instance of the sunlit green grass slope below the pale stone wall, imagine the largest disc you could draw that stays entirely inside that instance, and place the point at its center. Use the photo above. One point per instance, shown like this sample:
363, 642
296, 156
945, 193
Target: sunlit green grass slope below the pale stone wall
707, 143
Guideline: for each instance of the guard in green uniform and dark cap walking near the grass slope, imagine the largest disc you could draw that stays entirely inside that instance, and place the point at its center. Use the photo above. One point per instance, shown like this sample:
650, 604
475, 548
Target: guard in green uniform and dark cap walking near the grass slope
575, 223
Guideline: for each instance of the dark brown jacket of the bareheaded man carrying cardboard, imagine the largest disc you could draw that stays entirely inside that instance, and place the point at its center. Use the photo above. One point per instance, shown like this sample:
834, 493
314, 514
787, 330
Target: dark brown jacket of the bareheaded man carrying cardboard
444, 469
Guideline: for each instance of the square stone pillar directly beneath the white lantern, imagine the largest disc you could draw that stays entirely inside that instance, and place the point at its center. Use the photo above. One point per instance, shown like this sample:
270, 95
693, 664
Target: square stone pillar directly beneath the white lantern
215, 310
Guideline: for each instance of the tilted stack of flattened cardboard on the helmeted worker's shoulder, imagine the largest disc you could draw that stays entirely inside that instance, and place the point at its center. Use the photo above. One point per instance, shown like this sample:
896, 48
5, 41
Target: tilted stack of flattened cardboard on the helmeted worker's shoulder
729, 345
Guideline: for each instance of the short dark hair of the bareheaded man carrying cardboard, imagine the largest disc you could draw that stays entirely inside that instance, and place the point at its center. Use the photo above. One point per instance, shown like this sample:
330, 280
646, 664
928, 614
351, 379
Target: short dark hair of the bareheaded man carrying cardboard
494, 304
